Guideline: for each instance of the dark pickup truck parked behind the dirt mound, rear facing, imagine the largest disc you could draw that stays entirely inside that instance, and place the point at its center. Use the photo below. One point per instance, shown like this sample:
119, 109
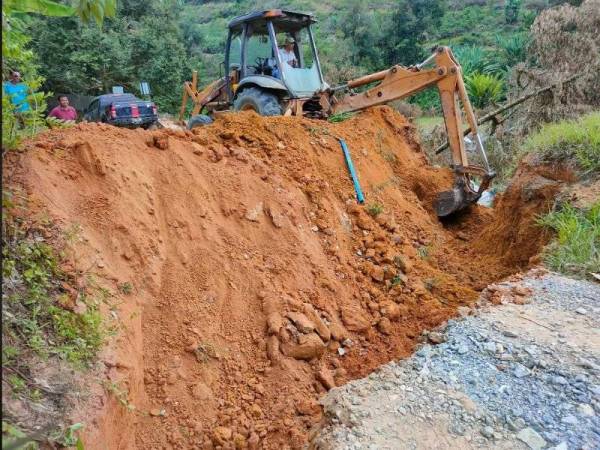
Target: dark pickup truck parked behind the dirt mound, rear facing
122, 110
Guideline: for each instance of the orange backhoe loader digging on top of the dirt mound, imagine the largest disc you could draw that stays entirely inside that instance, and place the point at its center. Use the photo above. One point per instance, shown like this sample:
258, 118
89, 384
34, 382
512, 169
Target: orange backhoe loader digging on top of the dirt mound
258, 76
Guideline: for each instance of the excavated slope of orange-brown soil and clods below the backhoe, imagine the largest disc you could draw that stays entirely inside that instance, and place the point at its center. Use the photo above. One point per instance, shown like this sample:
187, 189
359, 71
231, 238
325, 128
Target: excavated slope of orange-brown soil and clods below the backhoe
258, 282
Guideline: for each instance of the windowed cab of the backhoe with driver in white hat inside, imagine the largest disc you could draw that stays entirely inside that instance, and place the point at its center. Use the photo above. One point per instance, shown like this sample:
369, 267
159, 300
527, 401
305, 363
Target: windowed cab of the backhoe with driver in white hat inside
255, 54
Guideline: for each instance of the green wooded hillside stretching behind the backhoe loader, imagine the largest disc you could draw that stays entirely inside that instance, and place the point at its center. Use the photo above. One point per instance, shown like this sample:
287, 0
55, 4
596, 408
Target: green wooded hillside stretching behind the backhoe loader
163, 41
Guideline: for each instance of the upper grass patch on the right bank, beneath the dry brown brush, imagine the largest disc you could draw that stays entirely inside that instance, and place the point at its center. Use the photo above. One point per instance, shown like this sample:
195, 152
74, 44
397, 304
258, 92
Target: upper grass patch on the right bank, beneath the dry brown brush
577, 140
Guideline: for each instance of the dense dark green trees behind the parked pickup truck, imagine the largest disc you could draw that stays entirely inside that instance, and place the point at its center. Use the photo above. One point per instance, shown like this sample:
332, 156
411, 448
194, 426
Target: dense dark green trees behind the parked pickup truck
147, 46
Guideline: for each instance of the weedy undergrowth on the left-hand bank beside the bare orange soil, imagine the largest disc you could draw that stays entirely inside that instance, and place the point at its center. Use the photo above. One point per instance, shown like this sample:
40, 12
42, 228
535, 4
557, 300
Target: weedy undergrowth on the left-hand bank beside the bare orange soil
47, 323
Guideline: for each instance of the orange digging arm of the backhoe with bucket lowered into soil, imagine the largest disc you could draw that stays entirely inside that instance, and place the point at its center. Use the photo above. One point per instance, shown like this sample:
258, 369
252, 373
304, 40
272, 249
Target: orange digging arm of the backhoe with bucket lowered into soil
401, 82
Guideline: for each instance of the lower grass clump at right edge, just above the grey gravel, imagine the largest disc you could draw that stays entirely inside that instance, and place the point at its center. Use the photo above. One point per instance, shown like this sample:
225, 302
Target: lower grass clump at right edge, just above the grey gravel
576, 249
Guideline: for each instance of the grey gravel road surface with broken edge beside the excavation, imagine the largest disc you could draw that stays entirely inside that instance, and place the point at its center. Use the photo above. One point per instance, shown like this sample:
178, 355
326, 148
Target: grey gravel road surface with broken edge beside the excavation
511, 376
